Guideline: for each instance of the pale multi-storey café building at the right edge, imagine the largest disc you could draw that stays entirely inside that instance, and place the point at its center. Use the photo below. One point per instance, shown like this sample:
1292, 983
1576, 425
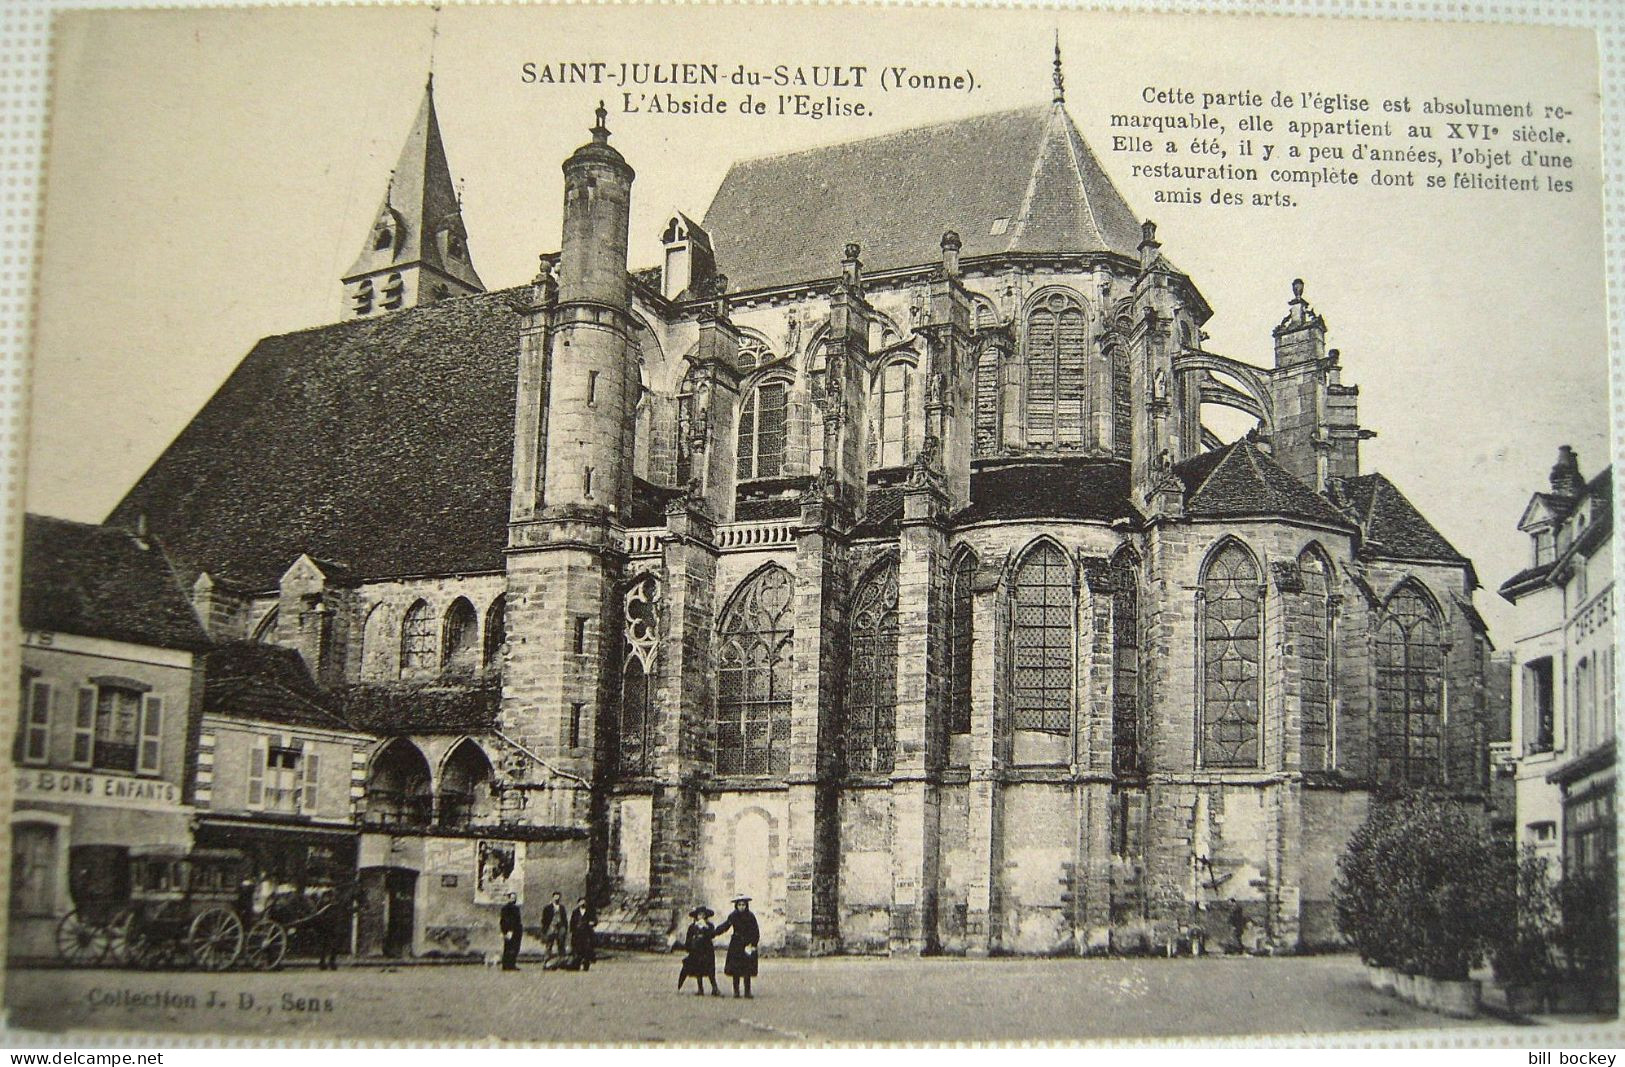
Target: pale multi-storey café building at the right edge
1564, 652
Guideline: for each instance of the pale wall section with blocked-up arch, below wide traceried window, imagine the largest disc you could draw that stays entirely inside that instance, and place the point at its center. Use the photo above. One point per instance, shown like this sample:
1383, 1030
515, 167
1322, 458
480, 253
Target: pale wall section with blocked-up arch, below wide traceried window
745, 852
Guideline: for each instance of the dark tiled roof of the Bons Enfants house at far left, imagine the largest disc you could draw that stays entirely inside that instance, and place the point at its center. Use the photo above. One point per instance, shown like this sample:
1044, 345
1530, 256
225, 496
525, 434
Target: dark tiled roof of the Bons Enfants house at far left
103, 582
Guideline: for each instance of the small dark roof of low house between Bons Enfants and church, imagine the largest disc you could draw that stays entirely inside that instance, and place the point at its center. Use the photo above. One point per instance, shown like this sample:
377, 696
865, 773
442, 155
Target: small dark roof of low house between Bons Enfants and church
269, 685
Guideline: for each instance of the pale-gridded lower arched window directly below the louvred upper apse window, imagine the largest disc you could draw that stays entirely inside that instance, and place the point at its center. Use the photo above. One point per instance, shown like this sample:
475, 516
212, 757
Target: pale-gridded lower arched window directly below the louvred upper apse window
1044, 602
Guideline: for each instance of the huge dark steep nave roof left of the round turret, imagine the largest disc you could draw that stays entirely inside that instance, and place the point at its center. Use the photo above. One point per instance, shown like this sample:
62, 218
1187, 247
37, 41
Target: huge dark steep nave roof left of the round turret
383, 444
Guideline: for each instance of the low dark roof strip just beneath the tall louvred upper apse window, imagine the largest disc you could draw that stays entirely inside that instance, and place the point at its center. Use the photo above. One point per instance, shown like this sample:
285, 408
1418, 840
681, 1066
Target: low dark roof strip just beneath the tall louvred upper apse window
1086, 490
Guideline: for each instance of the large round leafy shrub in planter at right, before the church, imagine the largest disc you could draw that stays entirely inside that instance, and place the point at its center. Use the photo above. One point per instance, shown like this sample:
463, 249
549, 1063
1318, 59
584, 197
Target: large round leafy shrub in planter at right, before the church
1424, 888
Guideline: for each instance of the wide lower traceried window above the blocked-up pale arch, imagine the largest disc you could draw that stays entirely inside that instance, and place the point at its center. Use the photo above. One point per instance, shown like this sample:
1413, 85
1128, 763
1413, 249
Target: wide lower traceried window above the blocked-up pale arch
755, 676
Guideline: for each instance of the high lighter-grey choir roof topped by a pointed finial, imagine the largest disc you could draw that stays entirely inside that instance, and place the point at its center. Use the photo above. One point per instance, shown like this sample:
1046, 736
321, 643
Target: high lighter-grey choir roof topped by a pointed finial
1016, 181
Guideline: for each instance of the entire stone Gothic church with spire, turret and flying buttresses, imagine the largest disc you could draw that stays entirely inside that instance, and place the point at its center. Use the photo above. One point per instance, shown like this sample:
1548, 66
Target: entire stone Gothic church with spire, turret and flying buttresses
869, 556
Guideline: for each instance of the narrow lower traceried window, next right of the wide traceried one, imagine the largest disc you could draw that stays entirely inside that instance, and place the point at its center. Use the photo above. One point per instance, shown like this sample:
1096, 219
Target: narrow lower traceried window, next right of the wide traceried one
872, 675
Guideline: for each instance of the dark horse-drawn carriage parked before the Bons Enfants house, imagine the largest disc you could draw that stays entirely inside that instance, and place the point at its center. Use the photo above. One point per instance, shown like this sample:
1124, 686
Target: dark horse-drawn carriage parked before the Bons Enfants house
168, 907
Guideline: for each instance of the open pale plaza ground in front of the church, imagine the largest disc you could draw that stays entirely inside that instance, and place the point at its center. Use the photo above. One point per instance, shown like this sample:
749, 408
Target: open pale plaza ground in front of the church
635, 1000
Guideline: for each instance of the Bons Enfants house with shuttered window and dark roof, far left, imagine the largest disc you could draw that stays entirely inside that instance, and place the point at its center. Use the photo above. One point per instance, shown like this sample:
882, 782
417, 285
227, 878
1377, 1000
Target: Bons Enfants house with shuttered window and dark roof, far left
106, 737
